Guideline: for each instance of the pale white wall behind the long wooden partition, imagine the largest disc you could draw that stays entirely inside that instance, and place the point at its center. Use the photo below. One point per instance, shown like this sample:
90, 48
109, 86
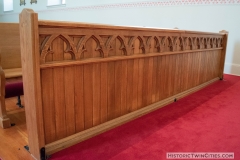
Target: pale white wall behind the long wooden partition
203, 17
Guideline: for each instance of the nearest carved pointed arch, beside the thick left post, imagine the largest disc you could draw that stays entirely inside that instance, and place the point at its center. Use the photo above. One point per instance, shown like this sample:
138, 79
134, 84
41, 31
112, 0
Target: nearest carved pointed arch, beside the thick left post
46, 47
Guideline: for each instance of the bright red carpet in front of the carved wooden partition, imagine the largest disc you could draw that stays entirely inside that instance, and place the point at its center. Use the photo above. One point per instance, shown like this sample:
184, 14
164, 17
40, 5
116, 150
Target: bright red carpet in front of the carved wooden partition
206, 121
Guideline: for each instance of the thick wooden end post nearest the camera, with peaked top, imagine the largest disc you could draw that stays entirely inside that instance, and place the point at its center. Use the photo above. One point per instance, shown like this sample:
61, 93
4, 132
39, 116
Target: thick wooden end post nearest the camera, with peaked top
32, 89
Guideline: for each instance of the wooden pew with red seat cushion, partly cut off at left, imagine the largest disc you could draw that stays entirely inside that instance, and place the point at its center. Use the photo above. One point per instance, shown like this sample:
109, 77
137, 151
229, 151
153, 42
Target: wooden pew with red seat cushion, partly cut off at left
10, 63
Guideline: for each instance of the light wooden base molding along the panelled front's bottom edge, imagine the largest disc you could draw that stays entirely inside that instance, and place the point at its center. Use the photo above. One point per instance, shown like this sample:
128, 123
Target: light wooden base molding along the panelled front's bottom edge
86, 134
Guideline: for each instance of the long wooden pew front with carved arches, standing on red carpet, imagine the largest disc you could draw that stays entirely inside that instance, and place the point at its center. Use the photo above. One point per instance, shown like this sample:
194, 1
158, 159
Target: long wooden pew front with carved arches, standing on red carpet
83, 79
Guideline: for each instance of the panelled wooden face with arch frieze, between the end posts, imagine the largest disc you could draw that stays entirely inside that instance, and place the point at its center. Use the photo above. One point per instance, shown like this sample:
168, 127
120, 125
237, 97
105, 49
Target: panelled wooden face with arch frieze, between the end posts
110, 73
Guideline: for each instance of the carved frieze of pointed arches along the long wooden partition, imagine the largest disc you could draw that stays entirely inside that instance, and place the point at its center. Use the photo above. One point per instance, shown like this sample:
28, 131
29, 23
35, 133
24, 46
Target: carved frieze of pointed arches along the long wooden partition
62, 47
